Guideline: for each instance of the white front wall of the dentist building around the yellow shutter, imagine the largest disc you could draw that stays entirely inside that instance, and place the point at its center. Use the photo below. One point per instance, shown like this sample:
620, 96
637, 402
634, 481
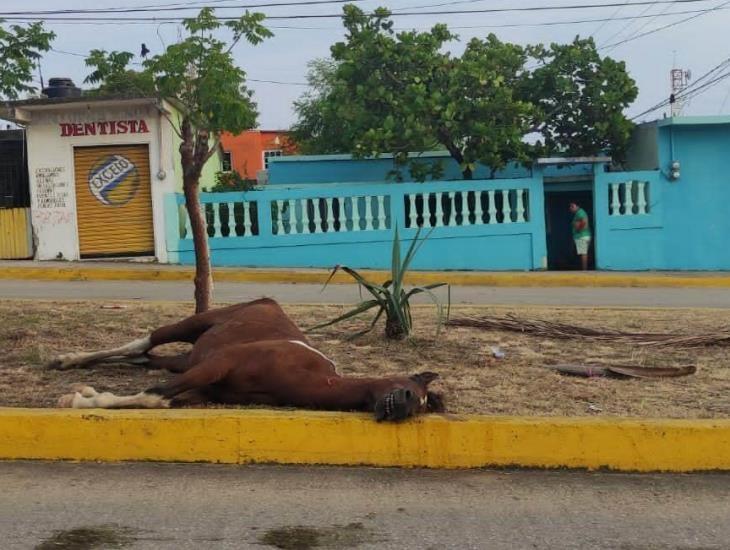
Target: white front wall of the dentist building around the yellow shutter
51, 163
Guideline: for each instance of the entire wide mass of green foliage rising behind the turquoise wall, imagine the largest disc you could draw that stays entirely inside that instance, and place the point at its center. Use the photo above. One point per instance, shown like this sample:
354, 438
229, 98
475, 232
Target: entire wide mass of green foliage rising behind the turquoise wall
388, 92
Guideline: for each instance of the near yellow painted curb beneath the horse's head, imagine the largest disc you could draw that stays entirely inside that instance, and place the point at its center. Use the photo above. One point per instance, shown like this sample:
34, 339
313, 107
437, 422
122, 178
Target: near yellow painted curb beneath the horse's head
248, 436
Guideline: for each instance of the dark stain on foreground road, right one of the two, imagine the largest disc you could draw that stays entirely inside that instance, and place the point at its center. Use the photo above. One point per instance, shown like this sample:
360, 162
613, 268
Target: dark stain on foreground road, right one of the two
306, 538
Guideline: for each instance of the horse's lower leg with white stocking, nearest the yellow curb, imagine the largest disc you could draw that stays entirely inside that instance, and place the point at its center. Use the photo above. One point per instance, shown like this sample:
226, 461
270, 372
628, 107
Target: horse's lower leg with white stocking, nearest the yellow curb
157, 397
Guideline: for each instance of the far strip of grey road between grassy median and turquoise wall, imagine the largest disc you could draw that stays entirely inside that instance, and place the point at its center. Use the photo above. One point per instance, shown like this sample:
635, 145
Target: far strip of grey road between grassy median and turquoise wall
307, 293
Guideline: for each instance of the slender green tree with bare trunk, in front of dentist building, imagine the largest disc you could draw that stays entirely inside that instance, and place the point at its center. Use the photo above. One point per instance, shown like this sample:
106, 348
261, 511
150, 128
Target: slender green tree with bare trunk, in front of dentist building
199, 76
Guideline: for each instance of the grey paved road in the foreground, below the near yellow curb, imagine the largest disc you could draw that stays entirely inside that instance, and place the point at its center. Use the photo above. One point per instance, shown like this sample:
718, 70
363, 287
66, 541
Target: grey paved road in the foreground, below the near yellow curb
164, 506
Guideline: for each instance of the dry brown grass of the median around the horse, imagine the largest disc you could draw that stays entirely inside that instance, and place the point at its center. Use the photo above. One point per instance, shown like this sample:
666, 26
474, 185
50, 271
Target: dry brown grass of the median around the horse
472, 381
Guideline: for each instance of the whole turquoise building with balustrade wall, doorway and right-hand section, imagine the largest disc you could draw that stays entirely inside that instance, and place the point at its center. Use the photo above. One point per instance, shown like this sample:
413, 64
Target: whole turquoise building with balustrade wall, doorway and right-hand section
666, 210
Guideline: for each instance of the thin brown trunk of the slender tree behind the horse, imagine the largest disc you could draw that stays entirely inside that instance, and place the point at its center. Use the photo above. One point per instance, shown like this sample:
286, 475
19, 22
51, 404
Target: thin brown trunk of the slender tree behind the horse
203, 272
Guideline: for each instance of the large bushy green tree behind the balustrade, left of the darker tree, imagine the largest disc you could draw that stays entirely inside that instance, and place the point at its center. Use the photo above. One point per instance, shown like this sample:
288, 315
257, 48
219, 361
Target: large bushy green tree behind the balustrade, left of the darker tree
401, 92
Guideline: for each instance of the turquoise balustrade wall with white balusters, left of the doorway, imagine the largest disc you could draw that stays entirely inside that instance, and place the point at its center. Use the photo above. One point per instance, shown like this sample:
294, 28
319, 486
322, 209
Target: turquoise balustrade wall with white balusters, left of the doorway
459, 244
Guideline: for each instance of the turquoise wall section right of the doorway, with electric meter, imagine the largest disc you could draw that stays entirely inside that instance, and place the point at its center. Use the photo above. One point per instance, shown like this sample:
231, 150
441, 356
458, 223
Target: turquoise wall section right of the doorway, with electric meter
689, 225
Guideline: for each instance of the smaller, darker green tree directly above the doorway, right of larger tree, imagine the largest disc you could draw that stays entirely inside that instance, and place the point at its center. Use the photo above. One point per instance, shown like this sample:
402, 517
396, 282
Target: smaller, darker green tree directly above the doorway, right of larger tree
581, 98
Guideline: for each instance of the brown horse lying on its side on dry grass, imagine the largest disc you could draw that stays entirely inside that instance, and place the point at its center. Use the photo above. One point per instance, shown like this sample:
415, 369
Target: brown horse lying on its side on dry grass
251, 354
